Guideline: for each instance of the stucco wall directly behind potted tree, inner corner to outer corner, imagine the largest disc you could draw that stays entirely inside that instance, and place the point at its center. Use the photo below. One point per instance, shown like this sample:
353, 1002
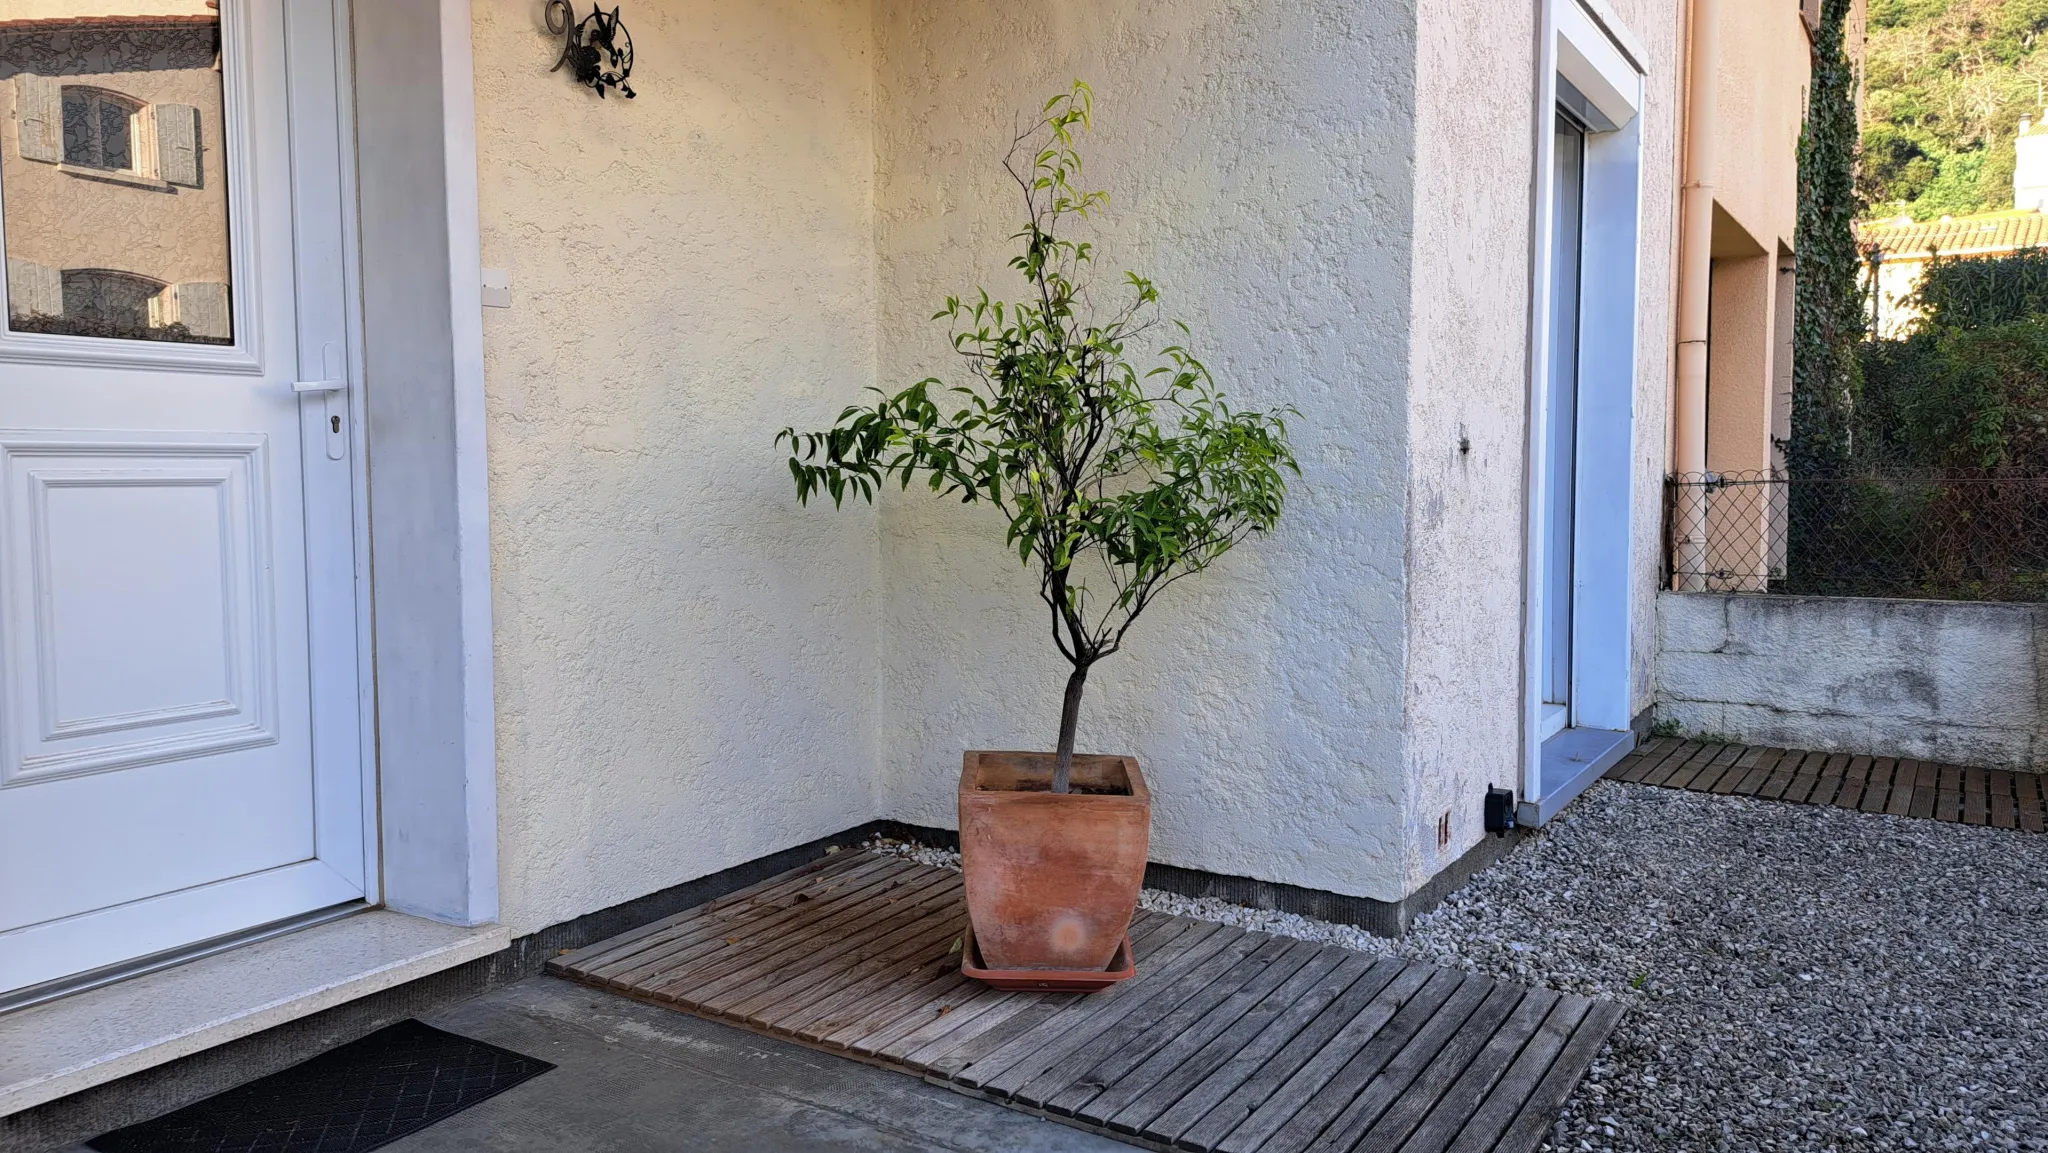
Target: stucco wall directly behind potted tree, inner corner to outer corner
1258, 159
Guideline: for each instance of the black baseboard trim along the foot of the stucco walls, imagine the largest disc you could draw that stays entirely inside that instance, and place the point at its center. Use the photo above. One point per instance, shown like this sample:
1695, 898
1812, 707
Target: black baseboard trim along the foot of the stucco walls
177, 1084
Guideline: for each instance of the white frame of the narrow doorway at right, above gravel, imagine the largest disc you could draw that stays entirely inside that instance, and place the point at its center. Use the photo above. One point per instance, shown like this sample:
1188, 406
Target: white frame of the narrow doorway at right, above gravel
1588, 48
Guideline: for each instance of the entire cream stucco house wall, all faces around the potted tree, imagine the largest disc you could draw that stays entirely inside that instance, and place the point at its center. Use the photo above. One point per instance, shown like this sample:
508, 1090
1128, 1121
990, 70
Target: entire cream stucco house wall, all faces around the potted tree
695, 673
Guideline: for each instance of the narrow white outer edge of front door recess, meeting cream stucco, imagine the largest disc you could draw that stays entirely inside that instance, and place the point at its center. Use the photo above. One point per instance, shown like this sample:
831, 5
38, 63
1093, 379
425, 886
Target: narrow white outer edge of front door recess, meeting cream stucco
472, 466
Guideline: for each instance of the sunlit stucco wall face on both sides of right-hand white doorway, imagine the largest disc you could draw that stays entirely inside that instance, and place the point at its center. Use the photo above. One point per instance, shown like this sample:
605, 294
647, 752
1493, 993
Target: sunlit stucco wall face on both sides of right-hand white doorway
1469, 368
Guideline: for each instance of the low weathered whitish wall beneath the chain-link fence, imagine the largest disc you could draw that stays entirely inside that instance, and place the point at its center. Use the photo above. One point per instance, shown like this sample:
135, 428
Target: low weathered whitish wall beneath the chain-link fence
1926, 679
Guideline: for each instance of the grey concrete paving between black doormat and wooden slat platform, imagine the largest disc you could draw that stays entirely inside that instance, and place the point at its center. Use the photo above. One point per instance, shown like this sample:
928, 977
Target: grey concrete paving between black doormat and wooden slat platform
636, 1078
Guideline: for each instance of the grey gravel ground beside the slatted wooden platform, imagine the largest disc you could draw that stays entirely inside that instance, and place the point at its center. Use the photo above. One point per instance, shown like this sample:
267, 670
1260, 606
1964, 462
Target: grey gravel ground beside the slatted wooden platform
1797, 978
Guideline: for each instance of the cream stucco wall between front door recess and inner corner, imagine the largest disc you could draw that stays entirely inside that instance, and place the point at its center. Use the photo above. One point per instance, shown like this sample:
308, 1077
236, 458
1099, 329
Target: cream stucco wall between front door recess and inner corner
687, 663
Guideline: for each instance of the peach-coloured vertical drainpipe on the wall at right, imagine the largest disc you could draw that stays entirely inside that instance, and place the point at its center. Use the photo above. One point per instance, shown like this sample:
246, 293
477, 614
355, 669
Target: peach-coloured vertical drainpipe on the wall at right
1695, 277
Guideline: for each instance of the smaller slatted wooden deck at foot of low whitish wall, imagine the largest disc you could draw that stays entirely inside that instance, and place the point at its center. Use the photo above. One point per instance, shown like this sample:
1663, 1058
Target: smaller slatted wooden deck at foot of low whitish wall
1873, 785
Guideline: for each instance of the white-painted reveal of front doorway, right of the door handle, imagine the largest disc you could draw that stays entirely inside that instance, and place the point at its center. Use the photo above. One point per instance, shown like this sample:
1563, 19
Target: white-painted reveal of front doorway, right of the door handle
425, 419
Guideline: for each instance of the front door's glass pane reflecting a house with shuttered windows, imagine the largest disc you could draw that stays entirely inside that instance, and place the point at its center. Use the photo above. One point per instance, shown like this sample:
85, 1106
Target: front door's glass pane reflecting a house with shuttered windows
112, 171
